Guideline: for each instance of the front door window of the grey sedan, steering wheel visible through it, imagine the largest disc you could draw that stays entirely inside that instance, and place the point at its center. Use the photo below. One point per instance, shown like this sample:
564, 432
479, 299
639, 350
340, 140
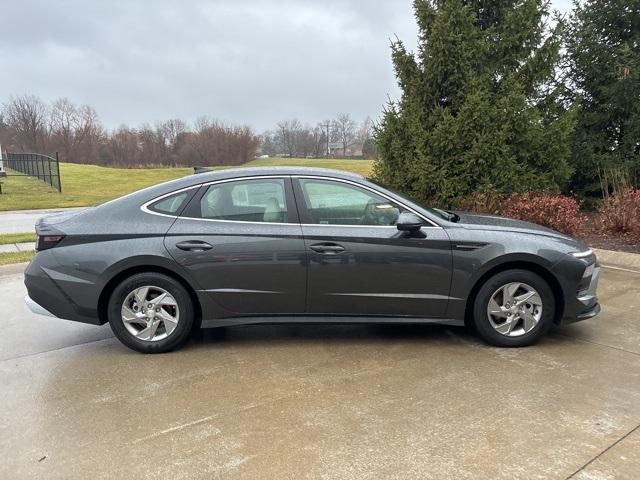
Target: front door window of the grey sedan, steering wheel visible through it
336, 203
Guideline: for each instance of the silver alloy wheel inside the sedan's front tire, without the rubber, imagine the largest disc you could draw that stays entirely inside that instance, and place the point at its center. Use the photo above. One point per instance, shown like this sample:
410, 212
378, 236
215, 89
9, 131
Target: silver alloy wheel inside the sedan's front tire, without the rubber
514, 309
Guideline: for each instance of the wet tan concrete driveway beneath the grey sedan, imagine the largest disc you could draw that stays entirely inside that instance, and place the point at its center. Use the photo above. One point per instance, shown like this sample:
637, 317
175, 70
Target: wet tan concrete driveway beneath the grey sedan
361, 402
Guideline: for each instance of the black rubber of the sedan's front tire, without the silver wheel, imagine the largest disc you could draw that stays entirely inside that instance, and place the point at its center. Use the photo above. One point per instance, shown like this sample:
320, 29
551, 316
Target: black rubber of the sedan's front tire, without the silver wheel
481, 321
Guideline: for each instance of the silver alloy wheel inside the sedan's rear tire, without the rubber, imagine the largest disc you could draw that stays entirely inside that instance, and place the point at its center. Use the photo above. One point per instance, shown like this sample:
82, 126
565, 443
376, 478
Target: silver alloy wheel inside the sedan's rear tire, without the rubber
150, 313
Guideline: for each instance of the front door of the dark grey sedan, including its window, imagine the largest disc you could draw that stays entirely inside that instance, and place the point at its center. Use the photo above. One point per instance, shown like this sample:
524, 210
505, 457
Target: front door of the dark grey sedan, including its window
359, 263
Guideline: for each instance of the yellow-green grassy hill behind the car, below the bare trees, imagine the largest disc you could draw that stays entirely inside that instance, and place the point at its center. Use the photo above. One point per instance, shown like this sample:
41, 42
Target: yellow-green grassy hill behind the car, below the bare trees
86, 185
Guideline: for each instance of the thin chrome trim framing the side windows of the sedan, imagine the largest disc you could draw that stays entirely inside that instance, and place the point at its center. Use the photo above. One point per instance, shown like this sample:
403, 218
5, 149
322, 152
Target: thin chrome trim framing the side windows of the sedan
145, 206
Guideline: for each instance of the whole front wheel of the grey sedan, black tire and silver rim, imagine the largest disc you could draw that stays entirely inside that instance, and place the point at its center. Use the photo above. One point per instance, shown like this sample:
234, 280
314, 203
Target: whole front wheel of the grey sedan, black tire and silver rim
525, 322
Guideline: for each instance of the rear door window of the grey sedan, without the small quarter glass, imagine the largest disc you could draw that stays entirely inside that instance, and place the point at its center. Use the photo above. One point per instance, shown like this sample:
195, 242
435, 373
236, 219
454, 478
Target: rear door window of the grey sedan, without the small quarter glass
259, 200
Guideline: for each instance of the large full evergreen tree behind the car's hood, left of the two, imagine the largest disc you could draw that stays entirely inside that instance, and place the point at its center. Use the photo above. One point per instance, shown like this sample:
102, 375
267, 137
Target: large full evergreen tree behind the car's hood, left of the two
477, 112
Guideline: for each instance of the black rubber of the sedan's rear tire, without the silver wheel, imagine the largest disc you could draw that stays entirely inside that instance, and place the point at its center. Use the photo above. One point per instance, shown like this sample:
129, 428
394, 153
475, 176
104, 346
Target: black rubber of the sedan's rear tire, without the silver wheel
182, 331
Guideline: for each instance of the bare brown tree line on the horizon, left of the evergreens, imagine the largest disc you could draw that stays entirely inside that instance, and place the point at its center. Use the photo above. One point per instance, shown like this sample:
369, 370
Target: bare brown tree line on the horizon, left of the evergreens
27, 124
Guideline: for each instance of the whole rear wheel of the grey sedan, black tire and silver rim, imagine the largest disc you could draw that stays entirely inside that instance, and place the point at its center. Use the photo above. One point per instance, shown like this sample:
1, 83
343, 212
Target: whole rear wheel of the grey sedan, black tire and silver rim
176, 303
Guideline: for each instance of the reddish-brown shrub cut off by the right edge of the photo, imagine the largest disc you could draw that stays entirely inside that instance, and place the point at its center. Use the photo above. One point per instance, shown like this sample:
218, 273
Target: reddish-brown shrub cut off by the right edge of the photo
620, 212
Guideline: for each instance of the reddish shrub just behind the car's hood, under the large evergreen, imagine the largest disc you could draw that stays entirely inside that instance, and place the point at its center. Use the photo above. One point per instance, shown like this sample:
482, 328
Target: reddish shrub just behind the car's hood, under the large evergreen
559, 212
